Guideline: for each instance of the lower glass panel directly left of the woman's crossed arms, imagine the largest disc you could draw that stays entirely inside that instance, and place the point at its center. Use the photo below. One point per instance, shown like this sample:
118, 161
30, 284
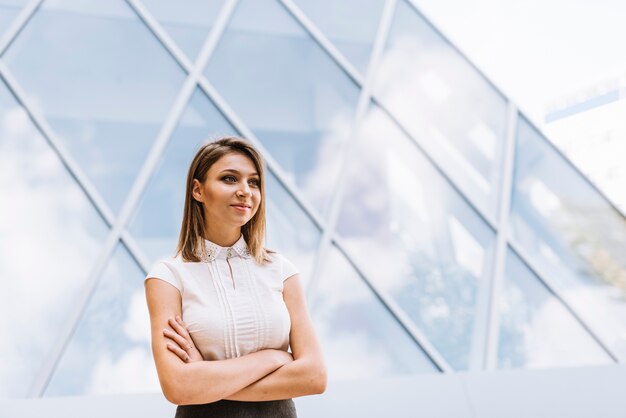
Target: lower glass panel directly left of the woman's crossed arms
110, 351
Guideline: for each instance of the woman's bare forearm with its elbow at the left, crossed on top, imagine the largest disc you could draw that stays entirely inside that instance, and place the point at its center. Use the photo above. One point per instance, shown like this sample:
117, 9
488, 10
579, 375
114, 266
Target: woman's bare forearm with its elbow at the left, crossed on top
209, 381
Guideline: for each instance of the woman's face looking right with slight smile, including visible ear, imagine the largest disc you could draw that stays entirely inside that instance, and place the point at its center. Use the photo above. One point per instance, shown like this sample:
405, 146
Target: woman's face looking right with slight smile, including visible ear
231, 193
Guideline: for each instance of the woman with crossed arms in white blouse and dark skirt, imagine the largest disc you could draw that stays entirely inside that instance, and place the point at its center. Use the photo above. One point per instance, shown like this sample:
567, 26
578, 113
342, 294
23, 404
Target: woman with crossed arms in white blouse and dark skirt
242, 305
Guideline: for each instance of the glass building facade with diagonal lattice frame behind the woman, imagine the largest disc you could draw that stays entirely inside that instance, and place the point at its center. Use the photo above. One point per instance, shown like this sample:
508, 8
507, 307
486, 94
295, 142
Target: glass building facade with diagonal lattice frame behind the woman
436, 229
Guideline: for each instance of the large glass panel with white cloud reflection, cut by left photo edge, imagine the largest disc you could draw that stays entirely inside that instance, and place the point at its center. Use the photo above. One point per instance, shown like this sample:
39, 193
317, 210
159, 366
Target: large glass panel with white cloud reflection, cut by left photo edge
50, 235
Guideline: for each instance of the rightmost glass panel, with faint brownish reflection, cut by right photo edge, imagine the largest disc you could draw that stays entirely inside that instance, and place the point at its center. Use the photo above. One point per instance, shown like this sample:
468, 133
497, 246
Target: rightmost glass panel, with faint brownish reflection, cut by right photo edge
572, 234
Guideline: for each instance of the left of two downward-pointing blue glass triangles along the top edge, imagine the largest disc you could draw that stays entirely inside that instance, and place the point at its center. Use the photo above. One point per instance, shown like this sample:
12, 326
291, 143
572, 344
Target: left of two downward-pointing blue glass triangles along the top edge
188, 22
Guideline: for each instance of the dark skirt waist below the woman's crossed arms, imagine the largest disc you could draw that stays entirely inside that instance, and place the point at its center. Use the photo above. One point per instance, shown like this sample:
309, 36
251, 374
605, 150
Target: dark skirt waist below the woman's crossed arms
237, 409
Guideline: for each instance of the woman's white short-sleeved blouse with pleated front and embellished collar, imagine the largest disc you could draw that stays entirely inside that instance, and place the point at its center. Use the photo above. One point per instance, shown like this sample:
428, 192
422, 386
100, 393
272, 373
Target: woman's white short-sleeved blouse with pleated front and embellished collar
231, 305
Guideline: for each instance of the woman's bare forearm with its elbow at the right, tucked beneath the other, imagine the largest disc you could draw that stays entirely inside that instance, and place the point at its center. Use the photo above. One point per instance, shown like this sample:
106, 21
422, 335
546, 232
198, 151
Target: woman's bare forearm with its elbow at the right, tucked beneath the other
298, 378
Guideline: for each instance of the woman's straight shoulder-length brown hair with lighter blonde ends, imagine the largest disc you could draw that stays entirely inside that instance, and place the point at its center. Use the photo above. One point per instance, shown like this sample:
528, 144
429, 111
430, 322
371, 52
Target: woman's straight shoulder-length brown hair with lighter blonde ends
191, 239
